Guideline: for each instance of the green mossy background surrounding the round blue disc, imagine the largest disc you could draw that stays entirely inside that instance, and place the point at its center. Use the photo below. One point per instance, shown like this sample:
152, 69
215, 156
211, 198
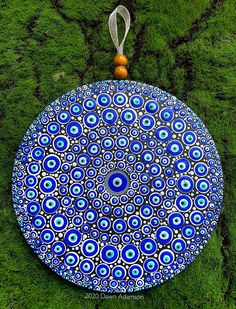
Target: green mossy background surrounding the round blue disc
187, 48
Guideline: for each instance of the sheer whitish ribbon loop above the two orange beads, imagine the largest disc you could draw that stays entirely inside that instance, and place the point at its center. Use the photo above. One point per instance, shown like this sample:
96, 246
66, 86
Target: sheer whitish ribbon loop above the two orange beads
113, 27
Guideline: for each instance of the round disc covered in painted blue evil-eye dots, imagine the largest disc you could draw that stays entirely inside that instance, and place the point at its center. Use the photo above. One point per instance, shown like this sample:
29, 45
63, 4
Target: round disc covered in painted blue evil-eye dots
117, 186
